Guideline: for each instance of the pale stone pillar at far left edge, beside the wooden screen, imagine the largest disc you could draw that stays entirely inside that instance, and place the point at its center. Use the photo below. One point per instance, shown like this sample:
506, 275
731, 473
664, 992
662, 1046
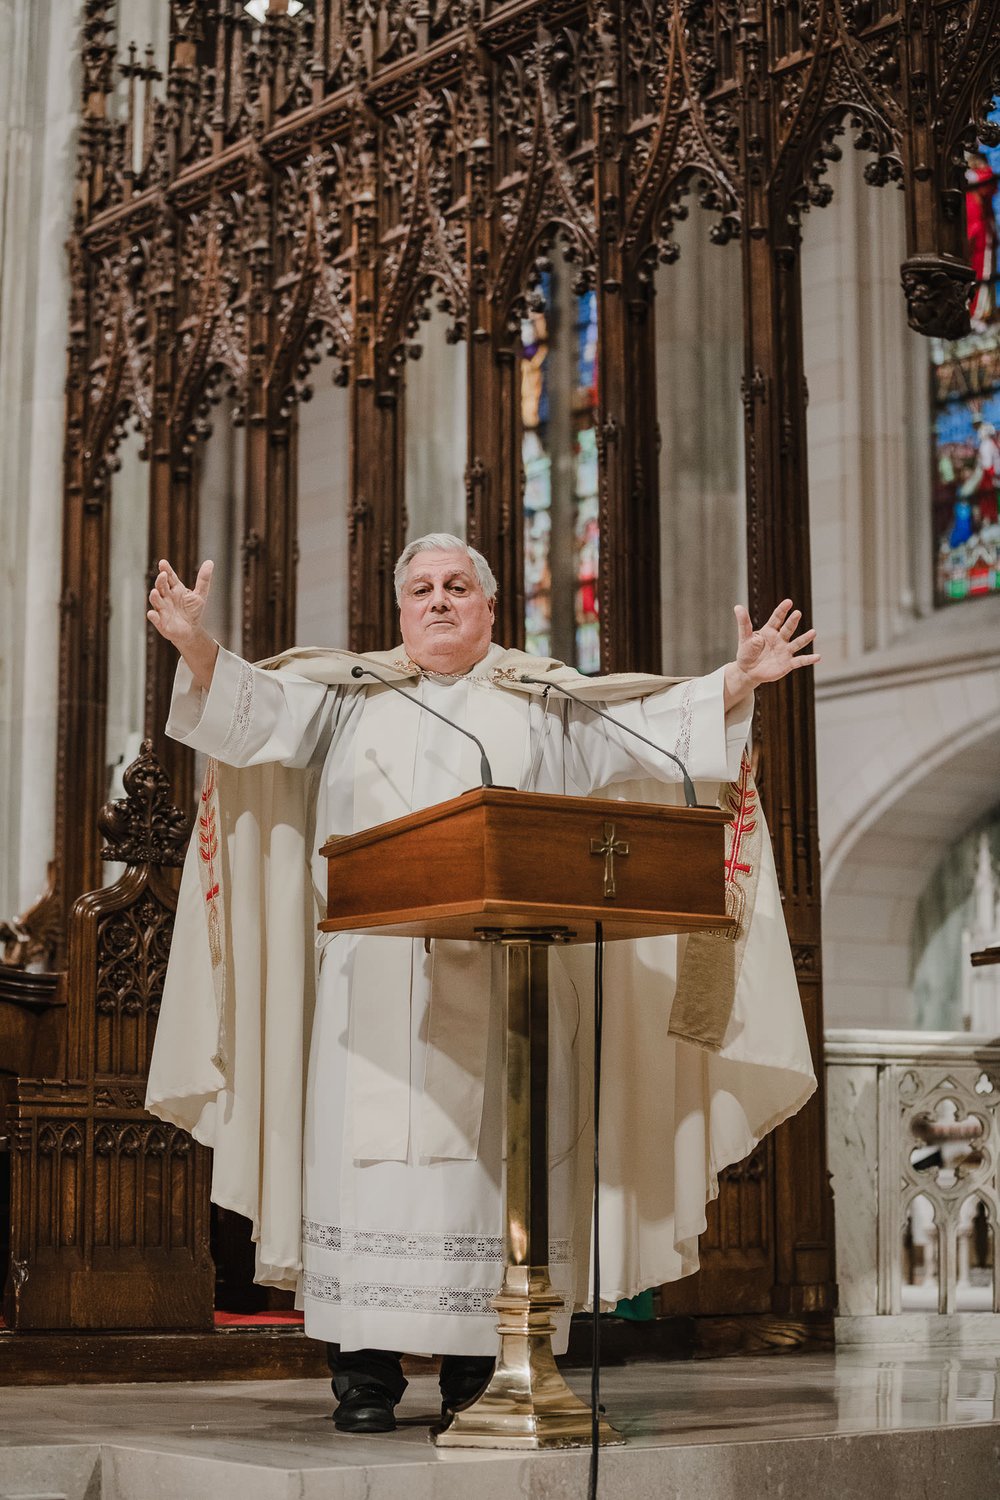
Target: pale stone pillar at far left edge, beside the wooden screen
38, 127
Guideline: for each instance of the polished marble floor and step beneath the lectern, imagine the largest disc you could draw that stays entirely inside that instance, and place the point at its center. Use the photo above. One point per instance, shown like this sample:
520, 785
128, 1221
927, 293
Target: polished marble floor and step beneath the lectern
860, 1424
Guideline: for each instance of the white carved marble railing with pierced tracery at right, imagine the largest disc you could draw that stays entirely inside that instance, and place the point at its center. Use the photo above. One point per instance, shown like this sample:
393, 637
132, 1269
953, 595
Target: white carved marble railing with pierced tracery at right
915, 1151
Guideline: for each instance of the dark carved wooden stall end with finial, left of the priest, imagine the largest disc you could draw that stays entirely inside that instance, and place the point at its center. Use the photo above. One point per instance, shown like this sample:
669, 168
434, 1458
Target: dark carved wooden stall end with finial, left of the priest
109, 1214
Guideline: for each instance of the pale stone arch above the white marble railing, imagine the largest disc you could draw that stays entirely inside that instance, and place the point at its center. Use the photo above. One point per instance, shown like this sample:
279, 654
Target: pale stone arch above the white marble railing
899, 785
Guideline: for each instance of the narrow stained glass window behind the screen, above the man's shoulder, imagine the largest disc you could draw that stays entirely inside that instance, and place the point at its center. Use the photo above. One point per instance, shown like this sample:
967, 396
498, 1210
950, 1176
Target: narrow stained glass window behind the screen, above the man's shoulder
558, 401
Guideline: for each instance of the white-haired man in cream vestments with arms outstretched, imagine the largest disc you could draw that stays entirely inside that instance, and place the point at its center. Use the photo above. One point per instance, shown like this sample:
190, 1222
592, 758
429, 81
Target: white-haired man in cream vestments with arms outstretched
397, 1148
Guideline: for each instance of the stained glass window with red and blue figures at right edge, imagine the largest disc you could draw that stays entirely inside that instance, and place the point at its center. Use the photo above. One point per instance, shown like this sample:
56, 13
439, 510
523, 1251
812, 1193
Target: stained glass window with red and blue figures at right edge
966, 397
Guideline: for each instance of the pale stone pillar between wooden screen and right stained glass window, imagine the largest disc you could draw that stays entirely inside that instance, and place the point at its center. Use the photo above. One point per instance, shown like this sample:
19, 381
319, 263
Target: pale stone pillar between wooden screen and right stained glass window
869, 422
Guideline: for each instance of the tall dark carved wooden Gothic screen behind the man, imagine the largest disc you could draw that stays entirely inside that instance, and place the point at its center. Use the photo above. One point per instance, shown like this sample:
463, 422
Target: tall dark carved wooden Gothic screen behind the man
313, 182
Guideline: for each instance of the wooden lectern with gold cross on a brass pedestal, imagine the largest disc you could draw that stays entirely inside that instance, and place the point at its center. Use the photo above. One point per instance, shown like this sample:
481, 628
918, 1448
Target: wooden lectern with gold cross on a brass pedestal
528, 871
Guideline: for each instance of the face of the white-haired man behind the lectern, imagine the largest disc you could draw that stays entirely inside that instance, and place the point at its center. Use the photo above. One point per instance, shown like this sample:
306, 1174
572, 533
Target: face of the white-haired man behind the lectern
446, 619
